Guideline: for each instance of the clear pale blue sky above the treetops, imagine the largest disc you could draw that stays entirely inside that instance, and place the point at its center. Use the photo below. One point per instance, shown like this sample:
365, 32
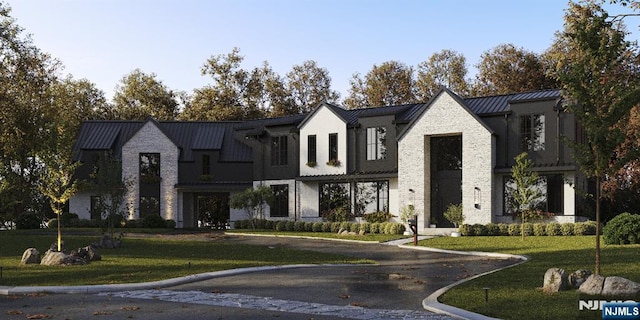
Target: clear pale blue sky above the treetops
104, 40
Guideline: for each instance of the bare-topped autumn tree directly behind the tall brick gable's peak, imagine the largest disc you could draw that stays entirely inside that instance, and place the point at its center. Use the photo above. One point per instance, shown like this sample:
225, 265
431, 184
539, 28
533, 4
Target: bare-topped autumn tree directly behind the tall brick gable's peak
446, 68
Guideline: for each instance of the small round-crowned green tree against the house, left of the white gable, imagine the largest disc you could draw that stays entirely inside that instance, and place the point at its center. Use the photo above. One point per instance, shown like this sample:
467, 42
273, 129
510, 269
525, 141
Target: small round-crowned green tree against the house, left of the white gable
252, 201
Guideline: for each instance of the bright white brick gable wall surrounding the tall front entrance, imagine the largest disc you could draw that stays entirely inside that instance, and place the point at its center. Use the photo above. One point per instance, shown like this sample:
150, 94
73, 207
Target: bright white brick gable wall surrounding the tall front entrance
445, 116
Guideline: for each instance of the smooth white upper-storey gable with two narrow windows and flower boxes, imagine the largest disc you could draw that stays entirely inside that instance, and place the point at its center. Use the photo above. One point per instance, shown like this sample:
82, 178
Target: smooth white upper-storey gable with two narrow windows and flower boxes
323, 141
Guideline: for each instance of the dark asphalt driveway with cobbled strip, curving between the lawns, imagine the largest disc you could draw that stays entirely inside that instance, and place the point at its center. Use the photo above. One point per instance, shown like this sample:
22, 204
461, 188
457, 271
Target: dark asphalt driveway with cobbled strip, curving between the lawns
400, 281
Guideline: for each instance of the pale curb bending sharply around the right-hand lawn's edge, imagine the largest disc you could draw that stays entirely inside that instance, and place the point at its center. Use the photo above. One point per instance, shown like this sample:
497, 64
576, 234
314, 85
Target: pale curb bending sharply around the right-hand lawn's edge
431, 302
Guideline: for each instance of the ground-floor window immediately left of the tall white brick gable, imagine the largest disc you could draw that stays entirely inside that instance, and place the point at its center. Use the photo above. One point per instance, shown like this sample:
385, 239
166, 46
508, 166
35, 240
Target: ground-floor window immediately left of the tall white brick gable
371, 197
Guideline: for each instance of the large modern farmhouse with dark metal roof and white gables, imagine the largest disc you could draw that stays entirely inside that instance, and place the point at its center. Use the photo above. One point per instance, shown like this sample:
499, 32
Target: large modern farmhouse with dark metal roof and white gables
448, 150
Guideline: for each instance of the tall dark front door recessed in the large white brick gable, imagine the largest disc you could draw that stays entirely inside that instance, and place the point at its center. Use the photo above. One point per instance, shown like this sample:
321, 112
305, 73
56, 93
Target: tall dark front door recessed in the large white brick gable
446, 177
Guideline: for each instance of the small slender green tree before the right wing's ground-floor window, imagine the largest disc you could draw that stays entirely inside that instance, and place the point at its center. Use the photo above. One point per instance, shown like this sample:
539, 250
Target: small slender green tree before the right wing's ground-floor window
525, 193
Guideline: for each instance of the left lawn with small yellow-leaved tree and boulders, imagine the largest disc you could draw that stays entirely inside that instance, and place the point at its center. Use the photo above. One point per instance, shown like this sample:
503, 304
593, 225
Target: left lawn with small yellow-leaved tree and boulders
142, 259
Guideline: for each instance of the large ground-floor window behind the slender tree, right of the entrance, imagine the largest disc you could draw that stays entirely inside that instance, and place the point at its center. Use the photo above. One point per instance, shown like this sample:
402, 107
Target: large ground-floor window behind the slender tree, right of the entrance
552, 198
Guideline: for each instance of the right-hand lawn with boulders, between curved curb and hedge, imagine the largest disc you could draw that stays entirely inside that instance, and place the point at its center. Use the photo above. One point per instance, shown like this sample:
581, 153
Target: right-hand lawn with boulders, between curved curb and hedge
515, 292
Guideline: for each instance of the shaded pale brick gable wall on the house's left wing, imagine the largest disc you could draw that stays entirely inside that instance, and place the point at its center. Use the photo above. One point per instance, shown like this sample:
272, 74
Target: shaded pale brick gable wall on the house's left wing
150, 139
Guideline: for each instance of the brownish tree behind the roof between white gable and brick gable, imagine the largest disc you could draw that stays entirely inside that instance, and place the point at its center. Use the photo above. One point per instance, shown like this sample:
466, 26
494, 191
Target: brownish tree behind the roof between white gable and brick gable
390, 83
